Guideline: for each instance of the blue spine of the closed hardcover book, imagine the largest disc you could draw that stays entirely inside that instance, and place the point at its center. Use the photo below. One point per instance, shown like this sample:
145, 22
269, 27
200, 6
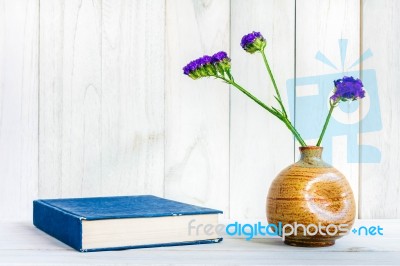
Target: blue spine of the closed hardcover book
60, 224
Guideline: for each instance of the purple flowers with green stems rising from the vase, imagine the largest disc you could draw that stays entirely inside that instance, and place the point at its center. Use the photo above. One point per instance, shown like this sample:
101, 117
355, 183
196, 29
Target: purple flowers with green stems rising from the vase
219, 66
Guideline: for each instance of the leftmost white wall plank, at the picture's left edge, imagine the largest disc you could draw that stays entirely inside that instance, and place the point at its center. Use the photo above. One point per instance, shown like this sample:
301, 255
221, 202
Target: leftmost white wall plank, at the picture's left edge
19, 30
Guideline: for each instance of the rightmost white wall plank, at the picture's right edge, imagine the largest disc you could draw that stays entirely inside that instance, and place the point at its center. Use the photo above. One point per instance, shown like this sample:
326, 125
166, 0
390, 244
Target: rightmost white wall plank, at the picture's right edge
380, 183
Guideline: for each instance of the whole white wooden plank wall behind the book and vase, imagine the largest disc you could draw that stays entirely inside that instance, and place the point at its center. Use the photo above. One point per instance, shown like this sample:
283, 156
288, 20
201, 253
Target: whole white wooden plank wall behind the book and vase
93, 100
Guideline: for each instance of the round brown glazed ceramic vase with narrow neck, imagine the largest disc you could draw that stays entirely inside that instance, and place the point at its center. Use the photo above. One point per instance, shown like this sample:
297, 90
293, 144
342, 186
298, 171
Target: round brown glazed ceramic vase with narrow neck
308, 192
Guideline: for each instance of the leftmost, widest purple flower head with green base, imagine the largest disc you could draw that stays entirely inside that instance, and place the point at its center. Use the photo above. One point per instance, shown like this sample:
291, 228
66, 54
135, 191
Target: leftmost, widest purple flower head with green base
208, 66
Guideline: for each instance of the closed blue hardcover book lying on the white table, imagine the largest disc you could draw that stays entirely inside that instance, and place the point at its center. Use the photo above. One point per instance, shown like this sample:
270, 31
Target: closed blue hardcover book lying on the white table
125, 222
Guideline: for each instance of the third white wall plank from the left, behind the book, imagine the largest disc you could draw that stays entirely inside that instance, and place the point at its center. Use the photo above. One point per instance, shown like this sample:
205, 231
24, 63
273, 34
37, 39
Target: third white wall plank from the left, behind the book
133, 97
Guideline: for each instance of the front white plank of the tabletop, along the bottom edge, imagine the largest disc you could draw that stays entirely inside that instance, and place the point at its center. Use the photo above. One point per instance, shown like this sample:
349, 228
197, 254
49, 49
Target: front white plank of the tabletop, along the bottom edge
159, 257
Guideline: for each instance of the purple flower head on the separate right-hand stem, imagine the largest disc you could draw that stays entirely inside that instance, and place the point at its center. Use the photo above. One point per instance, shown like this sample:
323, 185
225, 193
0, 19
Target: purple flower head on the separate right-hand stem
348, 88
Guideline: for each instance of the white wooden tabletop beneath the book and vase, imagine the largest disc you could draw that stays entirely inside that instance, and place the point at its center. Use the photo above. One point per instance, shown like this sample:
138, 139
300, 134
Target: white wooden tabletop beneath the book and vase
22, 244
